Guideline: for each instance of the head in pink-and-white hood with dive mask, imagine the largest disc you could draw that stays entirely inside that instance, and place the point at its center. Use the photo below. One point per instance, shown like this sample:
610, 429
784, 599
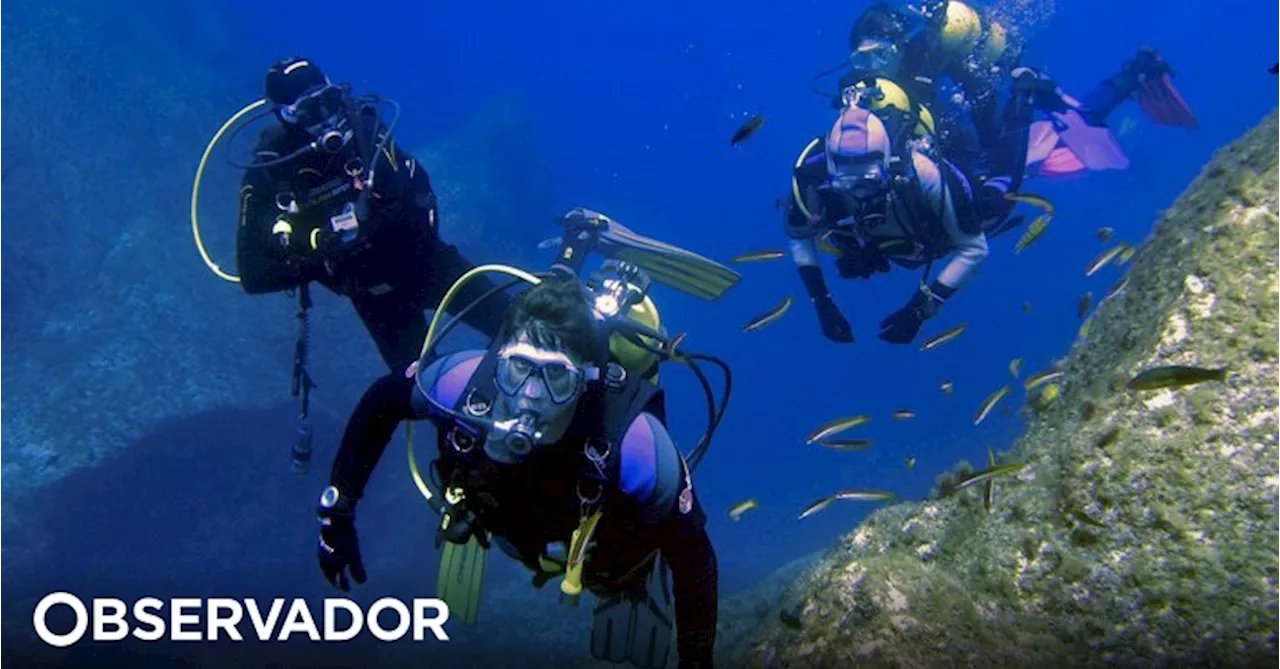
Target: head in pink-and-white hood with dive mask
858, 154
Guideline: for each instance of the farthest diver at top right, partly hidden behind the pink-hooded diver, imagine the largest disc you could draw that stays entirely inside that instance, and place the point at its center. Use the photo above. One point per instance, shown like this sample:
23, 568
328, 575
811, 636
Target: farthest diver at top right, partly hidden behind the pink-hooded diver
909, 53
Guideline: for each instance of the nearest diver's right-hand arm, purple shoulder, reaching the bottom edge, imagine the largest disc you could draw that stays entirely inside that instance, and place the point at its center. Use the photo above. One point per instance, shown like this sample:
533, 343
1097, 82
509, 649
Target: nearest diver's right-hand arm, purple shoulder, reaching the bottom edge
655, 475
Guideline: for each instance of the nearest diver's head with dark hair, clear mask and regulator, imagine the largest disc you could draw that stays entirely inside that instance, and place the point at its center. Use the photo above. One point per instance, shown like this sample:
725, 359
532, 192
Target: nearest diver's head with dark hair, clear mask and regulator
548, 355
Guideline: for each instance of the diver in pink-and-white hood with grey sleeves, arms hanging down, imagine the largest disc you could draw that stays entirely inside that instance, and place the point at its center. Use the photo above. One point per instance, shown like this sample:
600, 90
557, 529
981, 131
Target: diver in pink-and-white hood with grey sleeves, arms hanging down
870, 205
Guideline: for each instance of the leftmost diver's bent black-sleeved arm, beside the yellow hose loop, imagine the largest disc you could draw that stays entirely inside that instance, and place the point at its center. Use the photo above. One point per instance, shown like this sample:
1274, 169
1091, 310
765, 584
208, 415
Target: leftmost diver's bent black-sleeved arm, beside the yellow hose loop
267, 262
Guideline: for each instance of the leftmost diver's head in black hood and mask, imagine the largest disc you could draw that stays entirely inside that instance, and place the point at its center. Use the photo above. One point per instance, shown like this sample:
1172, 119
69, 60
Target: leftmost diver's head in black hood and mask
305, 100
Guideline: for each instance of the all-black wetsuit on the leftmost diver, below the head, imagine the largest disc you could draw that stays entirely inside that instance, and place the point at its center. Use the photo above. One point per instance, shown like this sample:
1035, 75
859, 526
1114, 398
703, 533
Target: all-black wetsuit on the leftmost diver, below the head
396, 267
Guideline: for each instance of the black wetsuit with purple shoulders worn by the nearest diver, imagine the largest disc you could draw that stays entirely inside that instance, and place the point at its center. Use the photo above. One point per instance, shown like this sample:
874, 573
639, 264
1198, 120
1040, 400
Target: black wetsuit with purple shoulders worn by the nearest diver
537, 501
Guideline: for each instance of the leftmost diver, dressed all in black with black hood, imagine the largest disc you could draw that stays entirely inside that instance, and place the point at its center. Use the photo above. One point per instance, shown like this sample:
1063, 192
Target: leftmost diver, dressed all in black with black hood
332, 199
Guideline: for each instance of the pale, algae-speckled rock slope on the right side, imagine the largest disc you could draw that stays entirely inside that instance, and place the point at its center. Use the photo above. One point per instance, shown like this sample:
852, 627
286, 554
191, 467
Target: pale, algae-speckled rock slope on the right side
1146, 530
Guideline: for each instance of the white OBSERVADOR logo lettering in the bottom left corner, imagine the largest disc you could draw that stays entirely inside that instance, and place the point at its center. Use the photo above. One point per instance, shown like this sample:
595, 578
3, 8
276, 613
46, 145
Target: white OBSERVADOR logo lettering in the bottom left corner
217, 618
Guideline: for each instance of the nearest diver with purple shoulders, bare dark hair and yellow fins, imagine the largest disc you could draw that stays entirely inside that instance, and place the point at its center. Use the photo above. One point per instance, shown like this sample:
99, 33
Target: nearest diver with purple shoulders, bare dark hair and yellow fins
554, 447
